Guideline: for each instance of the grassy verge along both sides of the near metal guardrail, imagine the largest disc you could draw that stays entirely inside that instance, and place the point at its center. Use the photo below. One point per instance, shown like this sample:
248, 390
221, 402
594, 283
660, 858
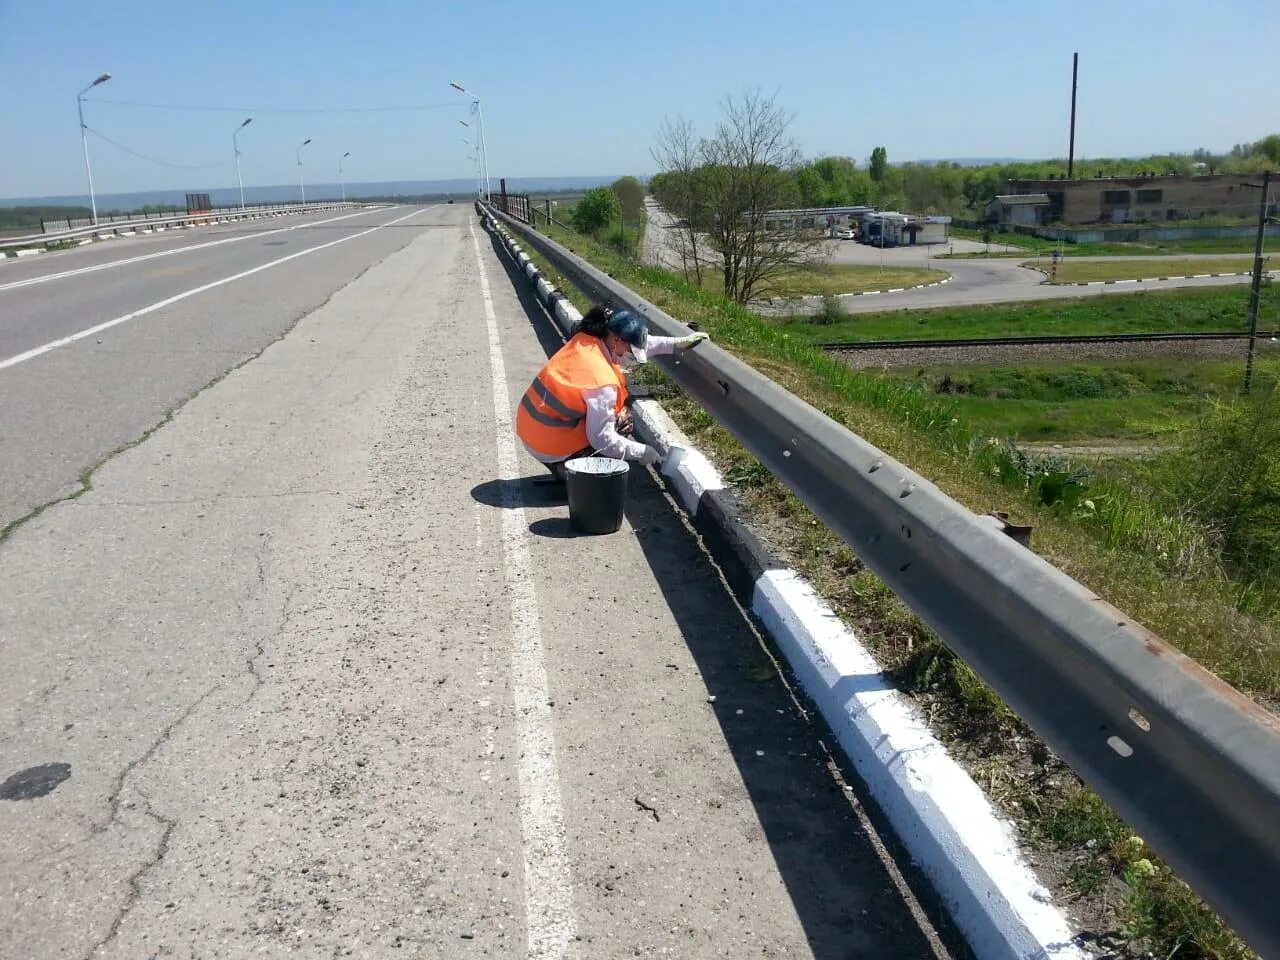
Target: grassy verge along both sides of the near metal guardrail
1131, 559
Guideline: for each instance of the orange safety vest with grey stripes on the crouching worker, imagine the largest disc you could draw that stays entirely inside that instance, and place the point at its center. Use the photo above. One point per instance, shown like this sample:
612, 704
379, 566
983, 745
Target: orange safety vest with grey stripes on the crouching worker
552, 415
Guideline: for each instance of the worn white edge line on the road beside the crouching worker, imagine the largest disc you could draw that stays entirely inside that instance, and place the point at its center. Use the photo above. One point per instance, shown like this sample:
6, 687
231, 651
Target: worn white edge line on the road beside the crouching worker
548, 889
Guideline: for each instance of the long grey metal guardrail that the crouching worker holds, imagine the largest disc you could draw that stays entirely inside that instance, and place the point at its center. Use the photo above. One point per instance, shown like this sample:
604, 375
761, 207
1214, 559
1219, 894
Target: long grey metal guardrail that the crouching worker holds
1188, 762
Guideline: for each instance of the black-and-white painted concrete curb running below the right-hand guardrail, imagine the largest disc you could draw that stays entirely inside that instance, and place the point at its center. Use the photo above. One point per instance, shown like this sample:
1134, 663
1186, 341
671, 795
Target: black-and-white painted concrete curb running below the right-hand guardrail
954, 835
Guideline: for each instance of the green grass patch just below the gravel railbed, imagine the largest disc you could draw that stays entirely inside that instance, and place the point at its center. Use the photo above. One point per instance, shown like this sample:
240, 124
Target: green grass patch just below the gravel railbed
1148, 400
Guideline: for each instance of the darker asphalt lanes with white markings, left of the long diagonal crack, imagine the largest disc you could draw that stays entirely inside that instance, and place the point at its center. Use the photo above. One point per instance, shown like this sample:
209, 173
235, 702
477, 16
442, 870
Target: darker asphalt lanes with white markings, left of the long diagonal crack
65, 412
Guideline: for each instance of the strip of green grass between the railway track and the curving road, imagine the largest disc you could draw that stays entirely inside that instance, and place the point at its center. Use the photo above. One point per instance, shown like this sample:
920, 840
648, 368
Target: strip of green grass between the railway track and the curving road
1146, 312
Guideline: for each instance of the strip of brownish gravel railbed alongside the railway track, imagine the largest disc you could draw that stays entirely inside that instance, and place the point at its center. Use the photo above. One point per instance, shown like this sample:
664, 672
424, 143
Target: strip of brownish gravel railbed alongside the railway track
1048, 353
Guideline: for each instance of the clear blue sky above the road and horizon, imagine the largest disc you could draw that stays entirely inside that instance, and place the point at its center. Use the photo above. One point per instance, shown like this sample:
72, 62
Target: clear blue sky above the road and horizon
579, 88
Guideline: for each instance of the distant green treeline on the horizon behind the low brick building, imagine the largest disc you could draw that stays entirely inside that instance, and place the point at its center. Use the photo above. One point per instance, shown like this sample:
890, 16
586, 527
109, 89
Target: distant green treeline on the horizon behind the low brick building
964, 191
